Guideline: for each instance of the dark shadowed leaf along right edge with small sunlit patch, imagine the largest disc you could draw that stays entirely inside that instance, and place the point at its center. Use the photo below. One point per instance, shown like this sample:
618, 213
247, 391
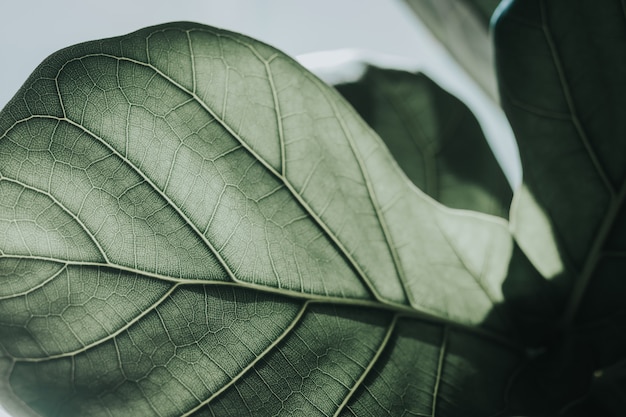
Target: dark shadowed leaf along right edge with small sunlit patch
561, 72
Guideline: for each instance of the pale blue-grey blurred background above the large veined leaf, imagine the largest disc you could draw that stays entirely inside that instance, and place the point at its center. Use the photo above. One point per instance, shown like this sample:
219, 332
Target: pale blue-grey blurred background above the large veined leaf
31, 30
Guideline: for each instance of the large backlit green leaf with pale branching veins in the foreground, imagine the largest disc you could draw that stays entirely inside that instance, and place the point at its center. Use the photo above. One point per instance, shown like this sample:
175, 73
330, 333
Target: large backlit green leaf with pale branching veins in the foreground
193, 224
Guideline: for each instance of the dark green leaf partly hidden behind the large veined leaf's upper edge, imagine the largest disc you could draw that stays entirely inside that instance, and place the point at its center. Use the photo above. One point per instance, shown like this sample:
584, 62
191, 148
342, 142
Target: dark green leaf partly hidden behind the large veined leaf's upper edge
433, 136
